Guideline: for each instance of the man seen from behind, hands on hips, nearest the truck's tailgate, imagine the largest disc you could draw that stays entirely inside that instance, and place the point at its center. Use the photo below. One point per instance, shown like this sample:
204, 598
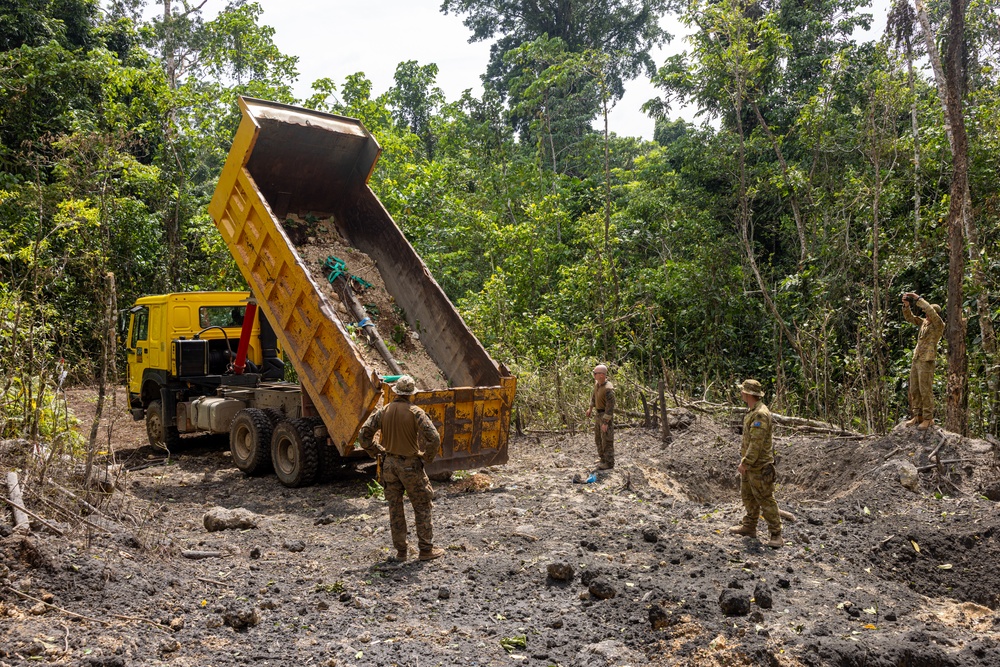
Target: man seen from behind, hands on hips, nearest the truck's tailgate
403, 426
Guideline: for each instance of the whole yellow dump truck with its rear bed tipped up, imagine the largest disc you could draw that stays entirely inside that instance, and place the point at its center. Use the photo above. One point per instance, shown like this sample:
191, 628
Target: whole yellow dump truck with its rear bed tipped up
287, 161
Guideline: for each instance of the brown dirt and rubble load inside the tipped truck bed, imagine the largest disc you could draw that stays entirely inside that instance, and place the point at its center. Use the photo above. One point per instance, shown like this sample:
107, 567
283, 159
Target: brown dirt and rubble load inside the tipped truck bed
317, 241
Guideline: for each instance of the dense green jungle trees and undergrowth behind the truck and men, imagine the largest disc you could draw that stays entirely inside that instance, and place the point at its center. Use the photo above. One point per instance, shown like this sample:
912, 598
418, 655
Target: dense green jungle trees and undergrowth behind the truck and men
772, 239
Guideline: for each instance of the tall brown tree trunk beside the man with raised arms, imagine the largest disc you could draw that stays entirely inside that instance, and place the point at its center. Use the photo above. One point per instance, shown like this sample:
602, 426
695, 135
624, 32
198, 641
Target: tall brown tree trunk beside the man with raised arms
957, 384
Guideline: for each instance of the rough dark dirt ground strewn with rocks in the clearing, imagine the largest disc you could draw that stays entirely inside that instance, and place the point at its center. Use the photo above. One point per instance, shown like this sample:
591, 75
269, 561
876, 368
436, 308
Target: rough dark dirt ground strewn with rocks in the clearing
635, 568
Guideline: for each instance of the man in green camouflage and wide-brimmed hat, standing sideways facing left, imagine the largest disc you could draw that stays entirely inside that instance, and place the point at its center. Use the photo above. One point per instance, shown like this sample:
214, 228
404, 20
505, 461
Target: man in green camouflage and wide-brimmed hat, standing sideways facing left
757, 473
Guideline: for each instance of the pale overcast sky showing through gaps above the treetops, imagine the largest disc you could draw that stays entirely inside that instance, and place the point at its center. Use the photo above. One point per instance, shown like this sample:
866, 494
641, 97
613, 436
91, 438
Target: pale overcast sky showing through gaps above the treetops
334, 38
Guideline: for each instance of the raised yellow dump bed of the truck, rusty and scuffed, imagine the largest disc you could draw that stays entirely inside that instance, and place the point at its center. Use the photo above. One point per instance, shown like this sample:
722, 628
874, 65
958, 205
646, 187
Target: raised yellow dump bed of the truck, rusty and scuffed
290, 163
